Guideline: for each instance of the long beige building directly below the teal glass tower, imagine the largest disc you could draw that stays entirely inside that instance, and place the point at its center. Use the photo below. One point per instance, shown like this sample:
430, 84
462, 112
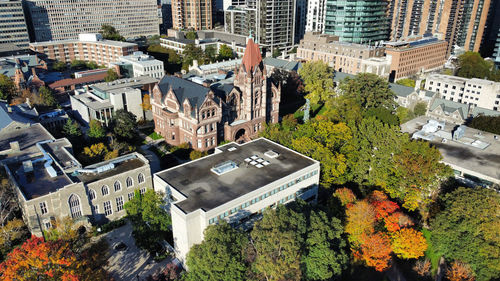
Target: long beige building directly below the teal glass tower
342, 56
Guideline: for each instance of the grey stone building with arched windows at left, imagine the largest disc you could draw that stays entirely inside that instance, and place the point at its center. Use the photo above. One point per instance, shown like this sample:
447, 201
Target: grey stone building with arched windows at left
51, 184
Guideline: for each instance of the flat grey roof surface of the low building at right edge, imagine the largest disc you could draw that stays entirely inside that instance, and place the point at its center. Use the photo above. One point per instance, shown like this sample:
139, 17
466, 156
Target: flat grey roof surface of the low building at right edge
483, 161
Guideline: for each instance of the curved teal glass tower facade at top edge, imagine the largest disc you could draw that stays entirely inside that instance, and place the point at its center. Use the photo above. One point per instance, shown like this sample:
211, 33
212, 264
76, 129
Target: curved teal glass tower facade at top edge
357, 21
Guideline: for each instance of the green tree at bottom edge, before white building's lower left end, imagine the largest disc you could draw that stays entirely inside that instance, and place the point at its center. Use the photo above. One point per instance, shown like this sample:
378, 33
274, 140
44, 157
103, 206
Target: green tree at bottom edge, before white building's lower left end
221, 255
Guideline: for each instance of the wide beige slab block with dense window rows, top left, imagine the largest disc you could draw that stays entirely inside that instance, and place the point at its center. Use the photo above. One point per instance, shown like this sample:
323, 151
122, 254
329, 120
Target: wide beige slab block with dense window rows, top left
65, 19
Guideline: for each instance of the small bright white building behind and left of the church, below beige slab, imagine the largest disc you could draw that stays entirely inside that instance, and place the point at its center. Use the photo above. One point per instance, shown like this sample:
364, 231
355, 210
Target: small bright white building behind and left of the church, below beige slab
144, 65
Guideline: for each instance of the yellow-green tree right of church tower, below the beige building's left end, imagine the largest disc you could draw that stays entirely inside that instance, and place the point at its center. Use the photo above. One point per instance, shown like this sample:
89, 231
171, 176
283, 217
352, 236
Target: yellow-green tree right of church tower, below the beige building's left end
318, 81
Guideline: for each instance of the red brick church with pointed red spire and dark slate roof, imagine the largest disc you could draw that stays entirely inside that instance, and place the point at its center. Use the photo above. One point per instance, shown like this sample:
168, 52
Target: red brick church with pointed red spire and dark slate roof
187, 112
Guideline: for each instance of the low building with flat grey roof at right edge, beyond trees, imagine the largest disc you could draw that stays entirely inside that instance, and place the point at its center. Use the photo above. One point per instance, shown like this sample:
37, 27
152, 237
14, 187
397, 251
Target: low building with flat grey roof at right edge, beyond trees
472, 154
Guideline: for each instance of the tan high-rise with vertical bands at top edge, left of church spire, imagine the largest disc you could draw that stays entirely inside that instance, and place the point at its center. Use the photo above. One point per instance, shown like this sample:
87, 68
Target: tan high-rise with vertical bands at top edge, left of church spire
192, 14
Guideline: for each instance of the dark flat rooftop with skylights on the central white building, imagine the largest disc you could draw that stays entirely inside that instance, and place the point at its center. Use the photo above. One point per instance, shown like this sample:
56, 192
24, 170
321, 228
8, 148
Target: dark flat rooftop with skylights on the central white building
206, 190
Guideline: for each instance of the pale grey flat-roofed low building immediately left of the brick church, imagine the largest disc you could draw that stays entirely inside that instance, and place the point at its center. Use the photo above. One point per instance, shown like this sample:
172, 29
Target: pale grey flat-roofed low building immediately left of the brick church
99, 101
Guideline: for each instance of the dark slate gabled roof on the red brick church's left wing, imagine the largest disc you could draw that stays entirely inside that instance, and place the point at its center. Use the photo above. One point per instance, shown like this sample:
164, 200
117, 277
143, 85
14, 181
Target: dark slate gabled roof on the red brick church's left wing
184, 89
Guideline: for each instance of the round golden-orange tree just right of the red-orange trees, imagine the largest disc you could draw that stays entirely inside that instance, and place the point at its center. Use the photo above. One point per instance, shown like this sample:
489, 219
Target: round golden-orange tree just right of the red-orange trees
408, 243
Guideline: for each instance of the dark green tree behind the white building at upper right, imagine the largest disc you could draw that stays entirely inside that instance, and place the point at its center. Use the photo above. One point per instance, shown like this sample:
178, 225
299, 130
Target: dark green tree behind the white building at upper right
472, 65
